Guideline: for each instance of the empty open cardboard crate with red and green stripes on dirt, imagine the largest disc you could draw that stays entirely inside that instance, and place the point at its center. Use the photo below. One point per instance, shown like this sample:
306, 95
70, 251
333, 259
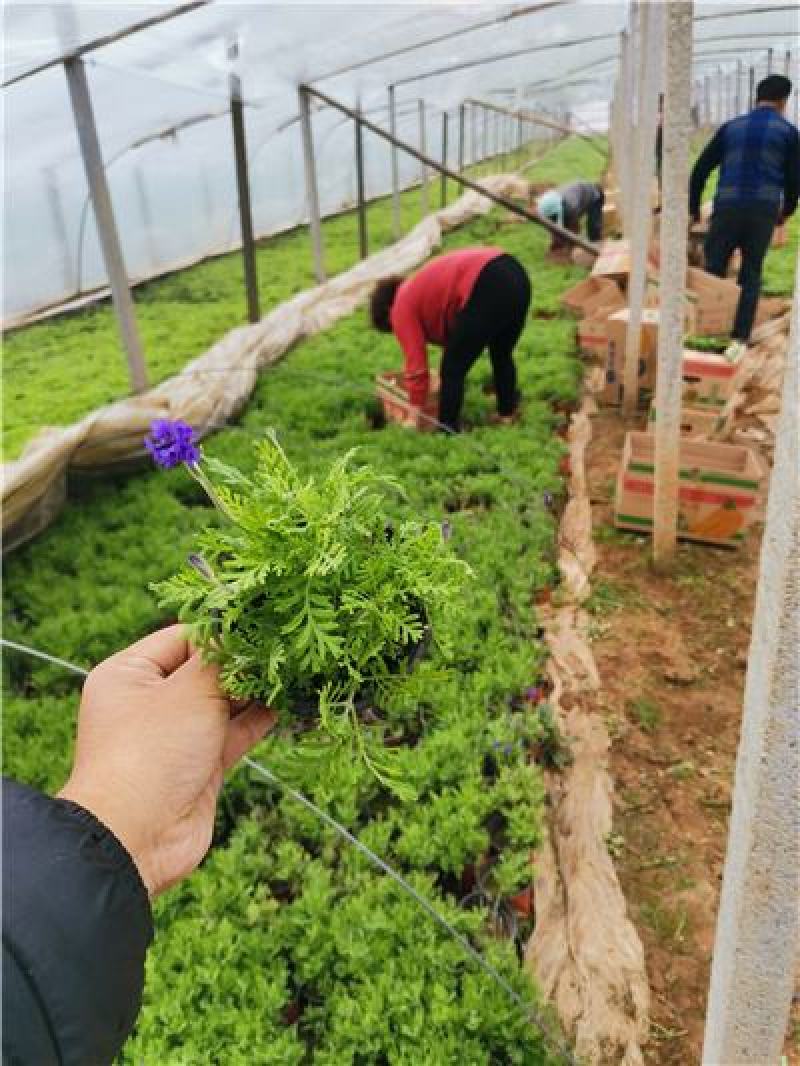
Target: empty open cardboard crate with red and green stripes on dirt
719, 495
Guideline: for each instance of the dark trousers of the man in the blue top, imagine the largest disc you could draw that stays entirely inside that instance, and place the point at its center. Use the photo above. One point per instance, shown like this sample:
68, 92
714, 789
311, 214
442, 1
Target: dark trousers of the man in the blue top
751, 233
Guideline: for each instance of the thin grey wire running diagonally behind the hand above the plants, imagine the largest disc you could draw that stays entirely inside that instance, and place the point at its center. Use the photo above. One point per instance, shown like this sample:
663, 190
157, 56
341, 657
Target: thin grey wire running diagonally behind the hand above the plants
553, 1041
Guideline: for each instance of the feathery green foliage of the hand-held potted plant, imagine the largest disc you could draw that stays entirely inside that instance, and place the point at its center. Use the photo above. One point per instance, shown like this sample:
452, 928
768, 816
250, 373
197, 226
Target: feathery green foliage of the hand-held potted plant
310, 601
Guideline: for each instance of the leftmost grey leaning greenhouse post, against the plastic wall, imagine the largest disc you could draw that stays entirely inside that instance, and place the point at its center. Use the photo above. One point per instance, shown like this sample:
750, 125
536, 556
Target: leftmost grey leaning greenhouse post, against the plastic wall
113, 253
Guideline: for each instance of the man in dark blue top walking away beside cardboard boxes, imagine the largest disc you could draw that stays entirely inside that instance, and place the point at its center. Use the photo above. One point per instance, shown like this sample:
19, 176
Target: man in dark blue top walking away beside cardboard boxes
759, 160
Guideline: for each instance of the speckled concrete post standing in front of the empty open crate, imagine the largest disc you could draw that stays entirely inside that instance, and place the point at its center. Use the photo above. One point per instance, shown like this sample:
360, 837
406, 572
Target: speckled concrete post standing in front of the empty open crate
675, 228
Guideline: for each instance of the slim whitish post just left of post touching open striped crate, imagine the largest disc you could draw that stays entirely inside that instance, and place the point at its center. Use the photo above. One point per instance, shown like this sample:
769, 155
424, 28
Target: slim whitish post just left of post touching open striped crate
648, 85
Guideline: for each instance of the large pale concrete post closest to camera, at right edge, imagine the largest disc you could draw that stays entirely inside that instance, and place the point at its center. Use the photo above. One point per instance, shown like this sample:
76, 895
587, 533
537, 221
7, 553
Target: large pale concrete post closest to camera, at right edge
756, 951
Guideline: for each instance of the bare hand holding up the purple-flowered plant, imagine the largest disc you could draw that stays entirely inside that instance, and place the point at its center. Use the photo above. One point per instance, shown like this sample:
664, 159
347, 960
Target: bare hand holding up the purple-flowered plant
155, 738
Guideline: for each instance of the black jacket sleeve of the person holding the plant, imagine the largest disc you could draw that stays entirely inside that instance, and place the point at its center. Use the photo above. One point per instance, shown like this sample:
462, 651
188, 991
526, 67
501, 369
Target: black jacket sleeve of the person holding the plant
76, 930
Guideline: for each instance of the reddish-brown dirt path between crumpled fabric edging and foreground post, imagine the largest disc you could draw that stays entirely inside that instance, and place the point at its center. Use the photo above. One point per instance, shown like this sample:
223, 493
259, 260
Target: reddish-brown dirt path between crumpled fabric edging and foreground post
673, 656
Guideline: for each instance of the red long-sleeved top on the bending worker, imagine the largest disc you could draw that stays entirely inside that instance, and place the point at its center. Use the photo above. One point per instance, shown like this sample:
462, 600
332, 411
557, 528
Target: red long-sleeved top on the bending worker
426, 306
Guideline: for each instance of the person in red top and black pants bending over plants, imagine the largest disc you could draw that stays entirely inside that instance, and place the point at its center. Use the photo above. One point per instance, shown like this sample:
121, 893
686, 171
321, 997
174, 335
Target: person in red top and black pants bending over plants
463, 302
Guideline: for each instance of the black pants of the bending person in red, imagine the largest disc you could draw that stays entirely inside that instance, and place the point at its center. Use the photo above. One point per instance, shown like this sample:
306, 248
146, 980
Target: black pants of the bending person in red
492, 318
